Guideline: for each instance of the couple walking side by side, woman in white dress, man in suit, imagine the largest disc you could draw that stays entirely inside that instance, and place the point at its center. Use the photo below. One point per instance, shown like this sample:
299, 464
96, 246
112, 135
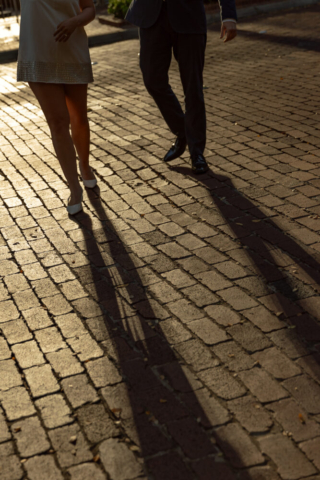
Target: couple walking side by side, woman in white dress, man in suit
54, 59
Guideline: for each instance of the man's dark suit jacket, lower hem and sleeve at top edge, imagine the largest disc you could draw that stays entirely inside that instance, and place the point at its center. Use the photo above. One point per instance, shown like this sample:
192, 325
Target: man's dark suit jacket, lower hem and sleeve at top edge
185, 16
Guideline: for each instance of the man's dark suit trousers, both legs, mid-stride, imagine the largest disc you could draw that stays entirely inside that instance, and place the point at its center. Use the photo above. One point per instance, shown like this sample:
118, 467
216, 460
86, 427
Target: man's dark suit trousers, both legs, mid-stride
157, 43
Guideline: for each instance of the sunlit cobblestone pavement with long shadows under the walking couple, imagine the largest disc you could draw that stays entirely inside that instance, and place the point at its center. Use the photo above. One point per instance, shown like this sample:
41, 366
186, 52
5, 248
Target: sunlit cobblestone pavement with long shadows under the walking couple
171, 330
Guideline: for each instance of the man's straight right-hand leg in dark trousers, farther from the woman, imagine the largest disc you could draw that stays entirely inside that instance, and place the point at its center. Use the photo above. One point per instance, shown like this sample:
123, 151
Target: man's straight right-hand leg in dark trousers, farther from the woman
189, 51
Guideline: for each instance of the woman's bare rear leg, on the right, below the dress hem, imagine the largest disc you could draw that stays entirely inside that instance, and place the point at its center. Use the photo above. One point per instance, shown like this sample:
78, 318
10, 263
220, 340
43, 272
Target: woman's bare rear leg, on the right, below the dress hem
76, 98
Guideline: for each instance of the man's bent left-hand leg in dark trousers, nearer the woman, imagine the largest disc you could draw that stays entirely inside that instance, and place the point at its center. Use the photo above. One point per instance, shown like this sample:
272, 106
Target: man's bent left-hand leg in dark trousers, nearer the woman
155, 59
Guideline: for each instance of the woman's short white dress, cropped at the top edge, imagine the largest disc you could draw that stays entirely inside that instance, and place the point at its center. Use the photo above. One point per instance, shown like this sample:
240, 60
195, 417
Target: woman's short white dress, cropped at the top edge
41, 58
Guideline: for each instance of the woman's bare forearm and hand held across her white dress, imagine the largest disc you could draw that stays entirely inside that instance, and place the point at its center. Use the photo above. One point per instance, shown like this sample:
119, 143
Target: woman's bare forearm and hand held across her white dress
66, 28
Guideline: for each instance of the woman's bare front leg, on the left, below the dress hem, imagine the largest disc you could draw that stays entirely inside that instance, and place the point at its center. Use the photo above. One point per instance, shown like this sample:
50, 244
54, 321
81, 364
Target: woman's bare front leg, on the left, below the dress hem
53, 103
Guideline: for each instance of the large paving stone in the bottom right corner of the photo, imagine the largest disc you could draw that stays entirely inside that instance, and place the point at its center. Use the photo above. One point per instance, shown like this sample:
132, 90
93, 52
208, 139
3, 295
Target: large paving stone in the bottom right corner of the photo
291, 462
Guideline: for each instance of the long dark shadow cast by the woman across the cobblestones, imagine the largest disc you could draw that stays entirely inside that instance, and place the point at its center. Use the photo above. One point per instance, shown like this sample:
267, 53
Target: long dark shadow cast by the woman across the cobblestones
164, 412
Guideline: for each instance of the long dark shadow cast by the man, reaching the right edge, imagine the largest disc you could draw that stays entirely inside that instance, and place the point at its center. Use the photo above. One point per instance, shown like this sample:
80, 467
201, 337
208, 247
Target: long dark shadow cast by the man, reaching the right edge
285, 276
